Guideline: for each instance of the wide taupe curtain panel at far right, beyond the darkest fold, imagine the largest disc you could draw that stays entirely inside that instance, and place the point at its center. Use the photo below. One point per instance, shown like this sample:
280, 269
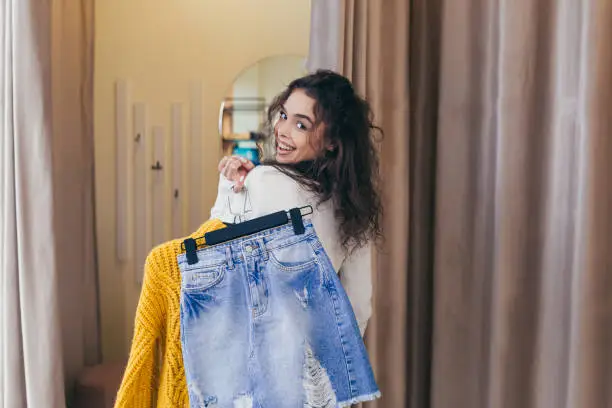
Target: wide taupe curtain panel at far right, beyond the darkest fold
521, 312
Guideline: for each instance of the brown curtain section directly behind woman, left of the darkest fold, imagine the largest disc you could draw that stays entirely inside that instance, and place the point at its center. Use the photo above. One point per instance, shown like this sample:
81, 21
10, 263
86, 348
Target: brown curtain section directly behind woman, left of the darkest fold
373, 54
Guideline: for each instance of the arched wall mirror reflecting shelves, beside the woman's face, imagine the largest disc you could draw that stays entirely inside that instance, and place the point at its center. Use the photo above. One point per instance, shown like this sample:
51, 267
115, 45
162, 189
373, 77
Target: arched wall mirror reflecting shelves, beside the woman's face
243, 110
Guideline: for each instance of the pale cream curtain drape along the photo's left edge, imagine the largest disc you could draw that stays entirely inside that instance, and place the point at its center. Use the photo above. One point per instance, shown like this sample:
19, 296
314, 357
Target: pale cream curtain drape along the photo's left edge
31, 354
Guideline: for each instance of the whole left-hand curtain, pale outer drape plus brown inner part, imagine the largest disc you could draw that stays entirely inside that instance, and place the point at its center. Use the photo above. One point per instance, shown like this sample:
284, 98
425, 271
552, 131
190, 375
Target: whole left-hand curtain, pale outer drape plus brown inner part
48, 302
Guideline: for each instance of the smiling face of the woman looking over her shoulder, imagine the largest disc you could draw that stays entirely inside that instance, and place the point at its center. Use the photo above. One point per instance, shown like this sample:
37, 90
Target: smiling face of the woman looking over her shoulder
298, 137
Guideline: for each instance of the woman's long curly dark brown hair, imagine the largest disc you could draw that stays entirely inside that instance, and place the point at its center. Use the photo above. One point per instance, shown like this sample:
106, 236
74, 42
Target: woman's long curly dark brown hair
347, 173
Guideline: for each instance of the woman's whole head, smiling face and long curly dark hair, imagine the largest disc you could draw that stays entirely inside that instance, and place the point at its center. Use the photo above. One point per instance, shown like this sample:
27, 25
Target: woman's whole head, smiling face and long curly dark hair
320, 118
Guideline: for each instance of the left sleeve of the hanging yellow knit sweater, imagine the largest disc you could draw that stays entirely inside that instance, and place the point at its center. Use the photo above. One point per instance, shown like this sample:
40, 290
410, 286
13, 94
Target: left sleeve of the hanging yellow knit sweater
140, 380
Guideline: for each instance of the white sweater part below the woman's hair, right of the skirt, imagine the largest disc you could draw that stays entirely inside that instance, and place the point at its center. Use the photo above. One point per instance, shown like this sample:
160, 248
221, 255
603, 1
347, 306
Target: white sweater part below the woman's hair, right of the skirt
356, 277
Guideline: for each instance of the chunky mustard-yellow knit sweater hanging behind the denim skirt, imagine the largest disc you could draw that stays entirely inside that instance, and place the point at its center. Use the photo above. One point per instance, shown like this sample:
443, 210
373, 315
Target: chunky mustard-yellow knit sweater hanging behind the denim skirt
155, 375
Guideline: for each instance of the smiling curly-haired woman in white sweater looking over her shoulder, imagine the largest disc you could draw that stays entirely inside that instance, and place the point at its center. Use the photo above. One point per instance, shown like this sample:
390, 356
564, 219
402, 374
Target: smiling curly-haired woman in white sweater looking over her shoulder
325, 156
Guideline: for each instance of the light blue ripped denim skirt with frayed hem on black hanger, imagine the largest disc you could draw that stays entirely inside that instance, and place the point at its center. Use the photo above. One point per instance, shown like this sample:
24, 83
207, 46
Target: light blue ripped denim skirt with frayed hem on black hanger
265, 323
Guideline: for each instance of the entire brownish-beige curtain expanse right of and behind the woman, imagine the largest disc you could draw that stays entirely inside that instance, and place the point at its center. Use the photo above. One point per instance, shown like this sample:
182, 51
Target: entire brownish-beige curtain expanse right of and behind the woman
502, 294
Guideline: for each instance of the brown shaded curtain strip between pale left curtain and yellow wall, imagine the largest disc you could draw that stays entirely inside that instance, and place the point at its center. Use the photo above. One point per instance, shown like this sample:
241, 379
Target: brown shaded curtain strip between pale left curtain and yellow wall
72, 35
